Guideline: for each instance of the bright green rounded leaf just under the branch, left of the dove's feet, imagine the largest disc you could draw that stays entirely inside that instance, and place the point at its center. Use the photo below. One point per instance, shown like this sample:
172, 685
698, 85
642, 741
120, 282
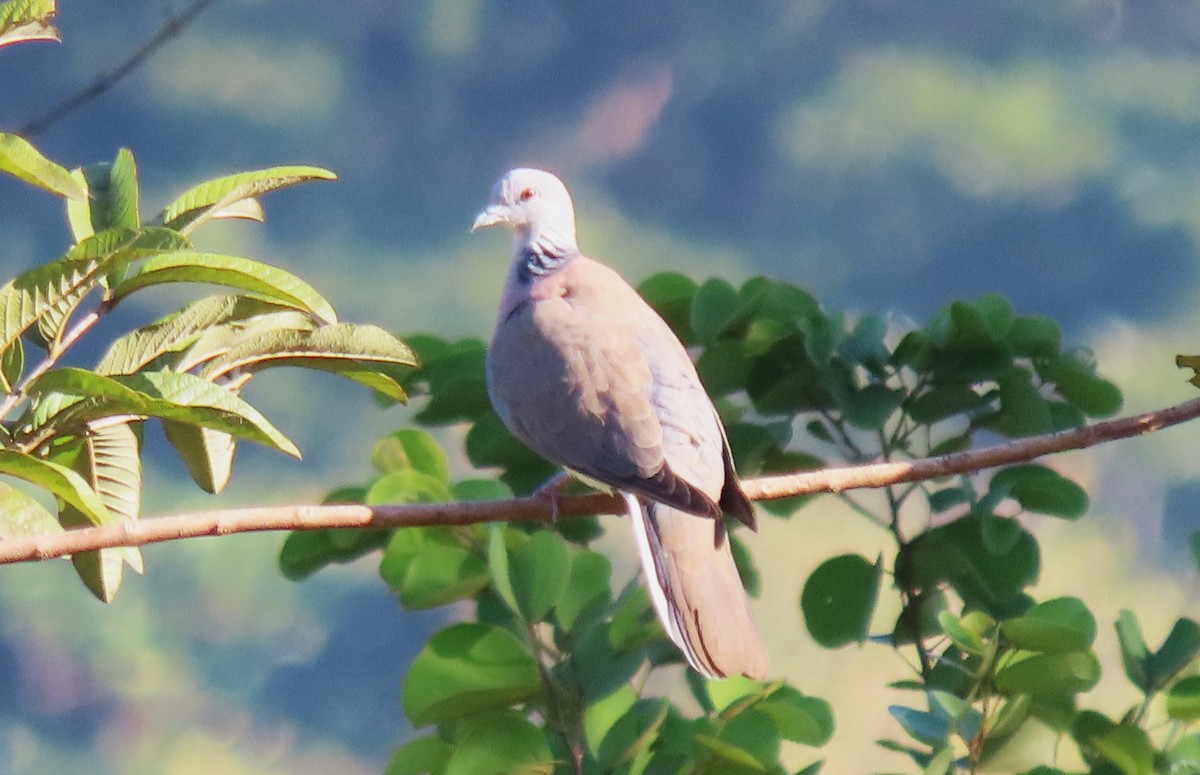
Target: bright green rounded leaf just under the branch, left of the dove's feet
431, 568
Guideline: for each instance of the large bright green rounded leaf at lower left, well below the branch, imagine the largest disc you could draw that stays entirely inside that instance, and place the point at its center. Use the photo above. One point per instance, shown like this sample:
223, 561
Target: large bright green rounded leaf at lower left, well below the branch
467, 669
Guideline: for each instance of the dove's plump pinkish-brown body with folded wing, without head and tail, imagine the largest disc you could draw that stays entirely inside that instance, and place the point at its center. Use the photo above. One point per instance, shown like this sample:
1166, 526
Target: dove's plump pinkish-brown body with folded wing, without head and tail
587, 375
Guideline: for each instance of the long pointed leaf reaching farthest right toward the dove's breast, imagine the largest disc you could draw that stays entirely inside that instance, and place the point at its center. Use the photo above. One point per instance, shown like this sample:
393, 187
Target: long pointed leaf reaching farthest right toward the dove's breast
321, 349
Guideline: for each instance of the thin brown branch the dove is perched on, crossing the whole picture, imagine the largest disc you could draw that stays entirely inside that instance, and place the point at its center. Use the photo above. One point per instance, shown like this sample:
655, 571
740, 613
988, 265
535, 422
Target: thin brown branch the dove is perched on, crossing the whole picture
537, 509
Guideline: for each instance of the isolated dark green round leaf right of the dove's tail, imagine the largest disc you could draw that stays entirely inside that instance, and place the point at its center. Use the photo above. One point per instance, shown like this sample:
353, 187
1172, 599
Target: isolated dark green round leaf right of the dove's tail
839, 599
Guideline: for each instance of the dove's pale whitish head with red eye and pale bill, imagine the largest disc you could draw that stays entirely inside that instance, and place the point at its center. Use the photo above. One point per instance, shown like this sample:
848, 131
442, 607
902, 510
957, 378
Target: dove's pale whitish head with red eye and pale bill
536, 206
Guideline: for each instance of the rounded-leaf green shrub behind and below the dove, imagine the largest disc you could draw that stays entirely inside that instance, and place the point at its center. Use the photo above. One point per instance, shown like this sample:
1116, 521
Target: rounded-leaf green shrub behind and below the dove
559, 658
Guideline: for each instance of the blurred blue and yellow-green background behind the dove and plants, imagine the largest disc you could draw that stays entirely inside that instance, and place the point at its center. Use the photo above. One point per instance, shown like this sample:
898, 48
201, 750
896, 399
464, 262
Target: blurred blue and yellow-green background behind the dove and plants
889, 157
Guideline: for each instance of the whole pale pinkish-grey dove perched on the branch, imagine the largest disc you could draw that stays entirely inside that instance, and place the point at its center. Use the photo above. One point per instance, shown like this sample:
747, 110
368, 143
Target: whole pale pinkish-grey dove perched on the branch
589, 376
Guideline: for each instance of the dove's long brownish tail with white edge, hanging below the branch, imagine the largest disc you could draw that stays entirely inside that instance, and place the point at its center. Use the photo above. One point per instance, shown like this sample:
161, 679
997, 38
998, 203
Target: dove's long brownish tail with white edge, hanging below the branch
697, 591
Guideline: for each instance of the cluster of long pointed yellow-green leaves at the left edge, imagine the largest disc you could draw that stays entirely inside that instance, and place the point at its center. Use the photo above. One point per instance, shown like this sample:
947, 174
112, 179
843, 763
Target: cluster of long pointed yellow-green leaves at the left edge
76, 434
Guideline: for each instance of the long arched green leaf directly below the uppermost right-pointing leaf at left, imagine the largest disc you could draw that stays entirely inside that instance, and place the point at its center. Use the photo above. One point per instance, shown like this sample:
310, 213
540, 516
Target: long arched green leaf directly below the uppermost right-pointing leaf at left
235, 272
